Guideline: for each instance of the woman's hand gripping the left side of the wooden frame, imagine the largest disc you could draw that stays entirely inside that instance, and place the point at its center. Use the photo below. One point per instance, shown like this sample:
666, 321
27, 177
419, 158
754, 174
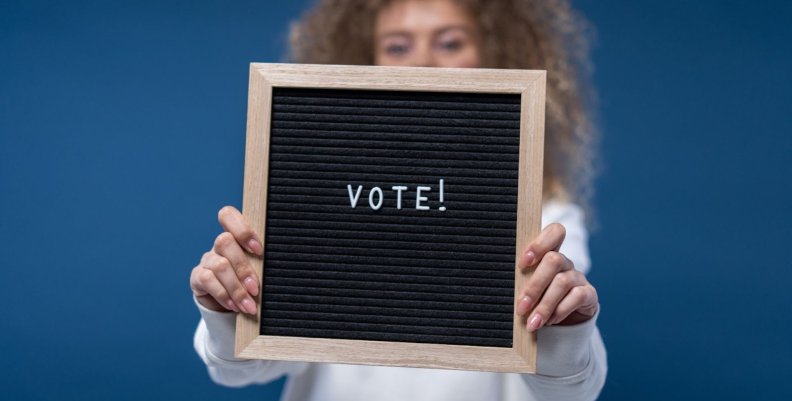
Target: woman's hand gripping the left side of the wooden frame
224, 280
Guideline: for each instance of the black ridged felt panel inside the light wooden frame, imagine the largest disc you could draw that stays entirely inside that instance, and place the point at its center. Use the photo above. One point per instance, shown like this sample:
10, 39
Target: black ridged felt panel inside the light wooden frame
405, 275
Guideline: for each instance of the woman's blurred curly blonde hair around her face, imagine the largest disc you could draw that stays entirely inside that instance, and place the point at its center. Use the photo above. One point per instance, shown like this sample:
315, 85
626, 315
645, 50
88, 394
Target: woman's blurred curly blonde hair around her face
527, 34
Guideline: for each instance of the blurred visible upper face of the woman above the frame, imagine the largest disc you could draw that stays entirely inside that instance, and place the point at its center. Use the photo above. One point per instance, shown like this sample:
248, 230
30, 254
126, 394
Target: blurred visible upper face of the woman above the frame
426, 33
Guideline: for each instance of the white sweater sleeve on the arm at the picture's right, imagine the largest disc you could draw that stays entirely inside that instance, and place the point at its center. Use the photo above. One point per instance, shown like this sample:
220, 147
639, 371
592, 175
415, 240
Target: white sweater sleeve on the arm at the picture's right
571, 360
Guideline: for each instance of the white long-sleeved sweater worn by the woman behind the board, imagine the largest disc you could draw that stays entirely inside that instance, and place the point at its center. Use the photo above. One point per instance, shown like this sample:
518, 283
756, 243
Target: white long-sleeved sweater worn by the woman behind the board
571, 360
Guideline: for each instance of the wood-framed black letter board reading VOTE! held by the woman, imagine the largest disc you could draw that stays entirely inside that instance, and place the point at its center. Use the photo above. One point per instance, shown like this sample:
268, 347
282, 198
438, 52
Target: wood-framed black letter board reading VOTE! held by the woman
393, 203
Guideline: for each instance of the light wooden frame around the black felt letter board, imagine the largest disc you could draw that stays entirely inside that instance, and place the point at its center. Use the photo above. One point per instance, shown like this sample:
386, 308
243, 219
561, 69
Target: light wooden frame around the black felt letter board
529, 84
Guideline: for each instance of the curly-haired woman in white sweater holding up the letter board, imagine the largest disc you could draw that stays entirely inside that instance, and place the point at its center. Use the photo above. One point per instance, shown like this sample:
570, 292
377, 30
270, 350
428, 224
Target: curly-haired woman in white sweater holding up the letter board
558, 301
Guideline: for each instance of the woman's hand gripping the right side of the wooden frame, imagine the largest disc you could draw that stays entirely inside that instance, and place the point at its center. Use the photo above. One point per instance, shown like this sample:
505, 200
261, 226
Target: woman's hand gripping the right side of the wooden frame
556, 293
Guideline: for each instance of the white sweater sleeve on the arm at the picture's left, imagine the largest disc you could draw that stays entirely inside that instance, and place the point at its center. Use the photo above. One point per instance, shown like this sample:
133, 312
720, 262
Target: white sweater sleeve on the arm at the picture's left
214, 343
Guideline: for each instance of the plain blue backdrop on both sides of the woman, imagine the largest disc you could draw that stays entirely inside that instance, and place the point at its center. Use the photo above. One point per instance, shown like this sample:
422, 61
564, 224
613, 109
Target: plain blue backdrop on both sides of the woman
122, 131
